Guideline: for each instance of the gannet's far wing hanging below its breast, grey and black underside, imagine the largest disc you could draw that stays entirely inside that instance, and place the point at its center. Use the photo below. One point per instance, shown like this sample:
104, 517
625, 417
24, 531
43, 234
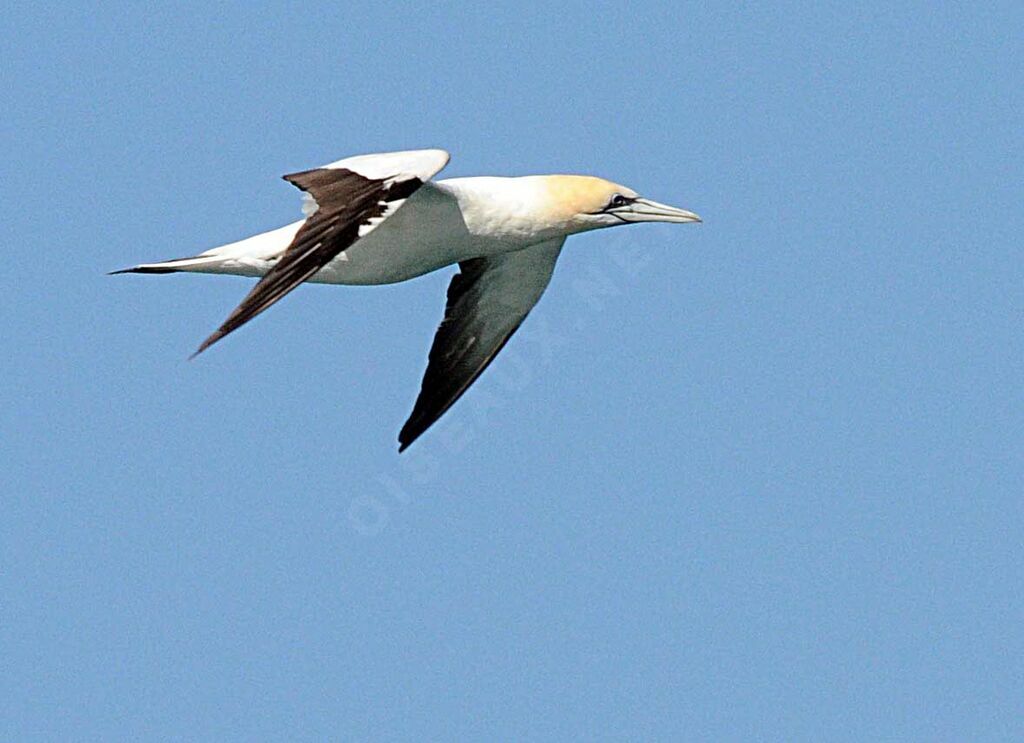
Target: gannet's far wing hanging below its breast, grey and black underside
488, 301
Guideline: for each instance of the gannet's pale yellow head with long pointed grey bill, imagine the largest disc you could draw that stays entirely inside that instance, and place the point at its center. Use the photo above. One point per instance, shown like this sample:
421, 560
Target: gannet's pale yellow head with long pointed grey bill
584, 203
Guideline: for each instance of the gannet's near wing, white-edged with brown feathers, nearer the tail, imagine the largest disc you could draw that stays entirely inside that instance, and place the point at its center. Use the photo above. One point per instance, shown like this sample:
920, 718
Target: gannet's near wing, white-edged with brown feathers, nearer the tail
346, 201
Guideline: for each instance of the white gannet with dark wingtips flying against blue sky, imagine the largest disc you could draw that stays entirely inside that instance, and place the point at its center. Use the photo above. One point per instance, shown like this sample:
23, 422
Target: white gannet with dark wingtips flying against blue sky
376, 220
